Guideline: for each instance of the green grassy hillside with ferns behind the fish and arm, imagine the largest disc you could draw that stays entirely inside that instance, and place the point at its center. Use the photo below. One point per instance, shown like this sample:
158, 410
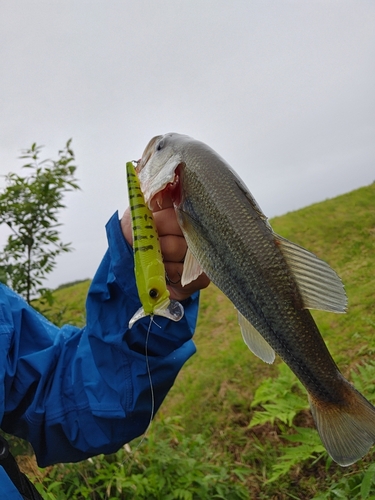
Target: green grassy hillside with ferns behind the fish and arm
216, 387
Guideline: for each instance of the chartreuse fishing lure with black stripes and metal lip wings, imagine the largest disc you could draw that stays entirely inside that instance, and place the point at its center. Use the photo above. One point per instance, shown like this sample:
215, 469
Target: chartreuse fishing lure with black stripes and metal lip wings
149, 269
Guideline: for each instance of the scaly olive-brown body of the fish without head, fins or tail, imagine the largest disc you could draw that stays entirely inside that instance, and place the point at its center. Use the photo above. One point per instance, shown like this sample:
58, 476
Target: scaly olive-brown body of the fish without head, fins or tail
236, 247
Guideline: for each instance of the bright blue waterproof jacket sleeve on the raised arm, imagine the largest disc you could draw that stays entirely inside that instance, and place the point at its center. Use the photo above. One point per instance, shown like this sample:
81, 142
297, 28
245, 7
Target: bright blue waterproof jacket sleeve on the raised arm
74, 393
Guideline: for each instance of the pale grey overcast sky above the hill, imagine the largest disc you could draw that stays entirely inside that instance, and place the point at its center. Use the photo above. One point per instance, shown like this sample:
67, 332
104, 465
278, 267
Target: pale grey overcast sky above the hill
283, 90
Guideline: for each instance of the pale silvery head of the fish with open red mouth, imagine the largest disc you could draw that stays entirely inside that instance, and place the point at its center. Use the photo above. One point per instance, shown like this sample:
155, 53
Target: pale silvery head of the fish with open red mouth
158, 168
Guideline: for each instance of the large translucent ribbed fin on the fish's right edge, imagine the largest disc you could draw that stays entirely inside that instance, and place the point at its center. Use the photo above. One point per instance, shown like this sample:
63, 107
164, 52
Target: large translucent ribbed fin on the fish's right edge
319, 285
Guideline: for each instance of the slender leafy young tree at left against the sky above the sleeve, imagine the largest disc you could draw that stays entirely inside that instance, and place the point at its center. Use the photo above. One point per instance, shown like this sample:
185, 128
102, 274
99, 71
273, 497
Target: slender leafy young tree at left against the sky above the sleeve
29, 206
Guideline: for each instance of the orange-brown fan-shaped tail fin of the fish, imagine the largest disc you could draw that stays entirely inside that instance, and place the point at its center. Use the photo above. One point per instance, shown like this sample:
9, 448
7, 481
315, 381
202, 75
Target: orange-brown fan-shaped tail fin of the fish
347, 430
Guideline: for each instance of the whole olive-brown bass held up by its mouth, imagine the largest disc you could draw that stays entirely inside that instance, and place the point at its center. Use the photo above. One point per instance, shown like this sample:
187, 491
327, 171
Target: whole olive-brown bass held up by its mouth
271, 281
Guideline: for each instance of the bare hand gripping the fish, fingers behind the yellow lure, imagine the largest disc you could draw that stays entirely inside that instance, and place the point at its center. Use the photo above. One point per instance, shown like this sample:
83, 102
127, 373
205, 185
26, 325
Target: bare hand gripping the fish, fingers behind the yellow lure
173, 248
